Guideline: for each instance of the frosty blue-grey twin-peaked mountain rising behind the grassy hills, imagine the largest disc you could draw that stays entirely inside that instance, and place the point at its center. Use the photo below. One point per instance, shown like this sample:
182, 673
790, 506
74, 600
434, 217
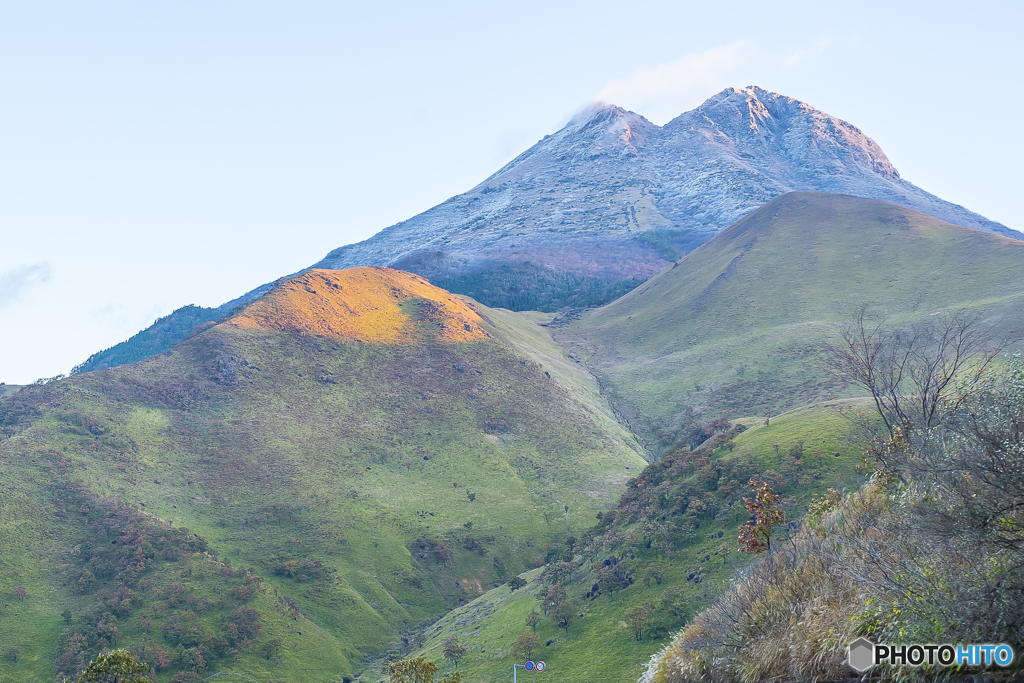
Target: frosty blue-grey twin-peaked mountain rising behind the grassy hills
612, 199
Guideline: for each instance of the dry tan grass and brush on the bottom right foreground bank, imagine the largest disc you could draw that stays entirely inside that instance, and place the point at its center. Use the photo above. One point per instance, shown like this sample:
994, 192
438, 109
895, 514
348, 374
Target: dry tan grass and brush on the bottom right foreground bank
870, 568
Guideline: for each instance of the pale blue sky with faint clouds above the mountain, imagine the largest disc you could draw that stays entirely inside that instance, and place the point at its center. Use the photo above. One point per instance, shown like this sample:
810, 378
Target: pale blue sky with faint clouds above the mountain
156, 155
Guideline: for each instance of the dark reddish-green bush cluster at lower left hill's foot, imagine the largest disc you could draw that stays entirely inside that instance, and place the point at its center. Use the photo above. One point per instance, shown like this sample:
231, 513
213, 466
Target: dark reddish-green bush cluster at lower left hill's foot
130, 567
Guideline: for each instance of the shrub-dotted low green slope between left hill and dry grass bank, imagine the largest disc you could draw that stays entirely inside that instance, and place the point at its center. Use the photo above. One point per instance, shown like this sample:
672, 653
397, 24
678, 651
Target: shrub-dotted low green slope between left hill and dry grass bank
673, 534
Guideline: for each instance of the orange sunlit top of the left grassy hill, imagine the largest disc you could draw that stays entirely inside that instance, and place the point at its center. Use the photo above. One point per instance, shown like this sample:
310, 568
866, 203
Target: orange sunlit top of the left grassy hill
371, 305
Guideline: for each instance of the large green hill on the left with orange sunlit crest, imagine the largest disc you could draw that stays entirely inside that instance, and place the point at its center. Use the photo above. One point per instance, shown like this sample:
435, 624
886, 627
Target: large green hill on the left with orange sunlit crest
351, 457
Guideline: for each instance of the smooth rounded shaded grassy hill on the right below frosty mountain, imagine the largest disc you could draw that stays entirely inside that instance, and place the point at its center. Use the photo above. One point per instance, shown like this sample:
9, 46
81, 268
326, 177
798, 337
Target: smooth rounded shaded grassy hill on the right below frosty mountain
737, 326
